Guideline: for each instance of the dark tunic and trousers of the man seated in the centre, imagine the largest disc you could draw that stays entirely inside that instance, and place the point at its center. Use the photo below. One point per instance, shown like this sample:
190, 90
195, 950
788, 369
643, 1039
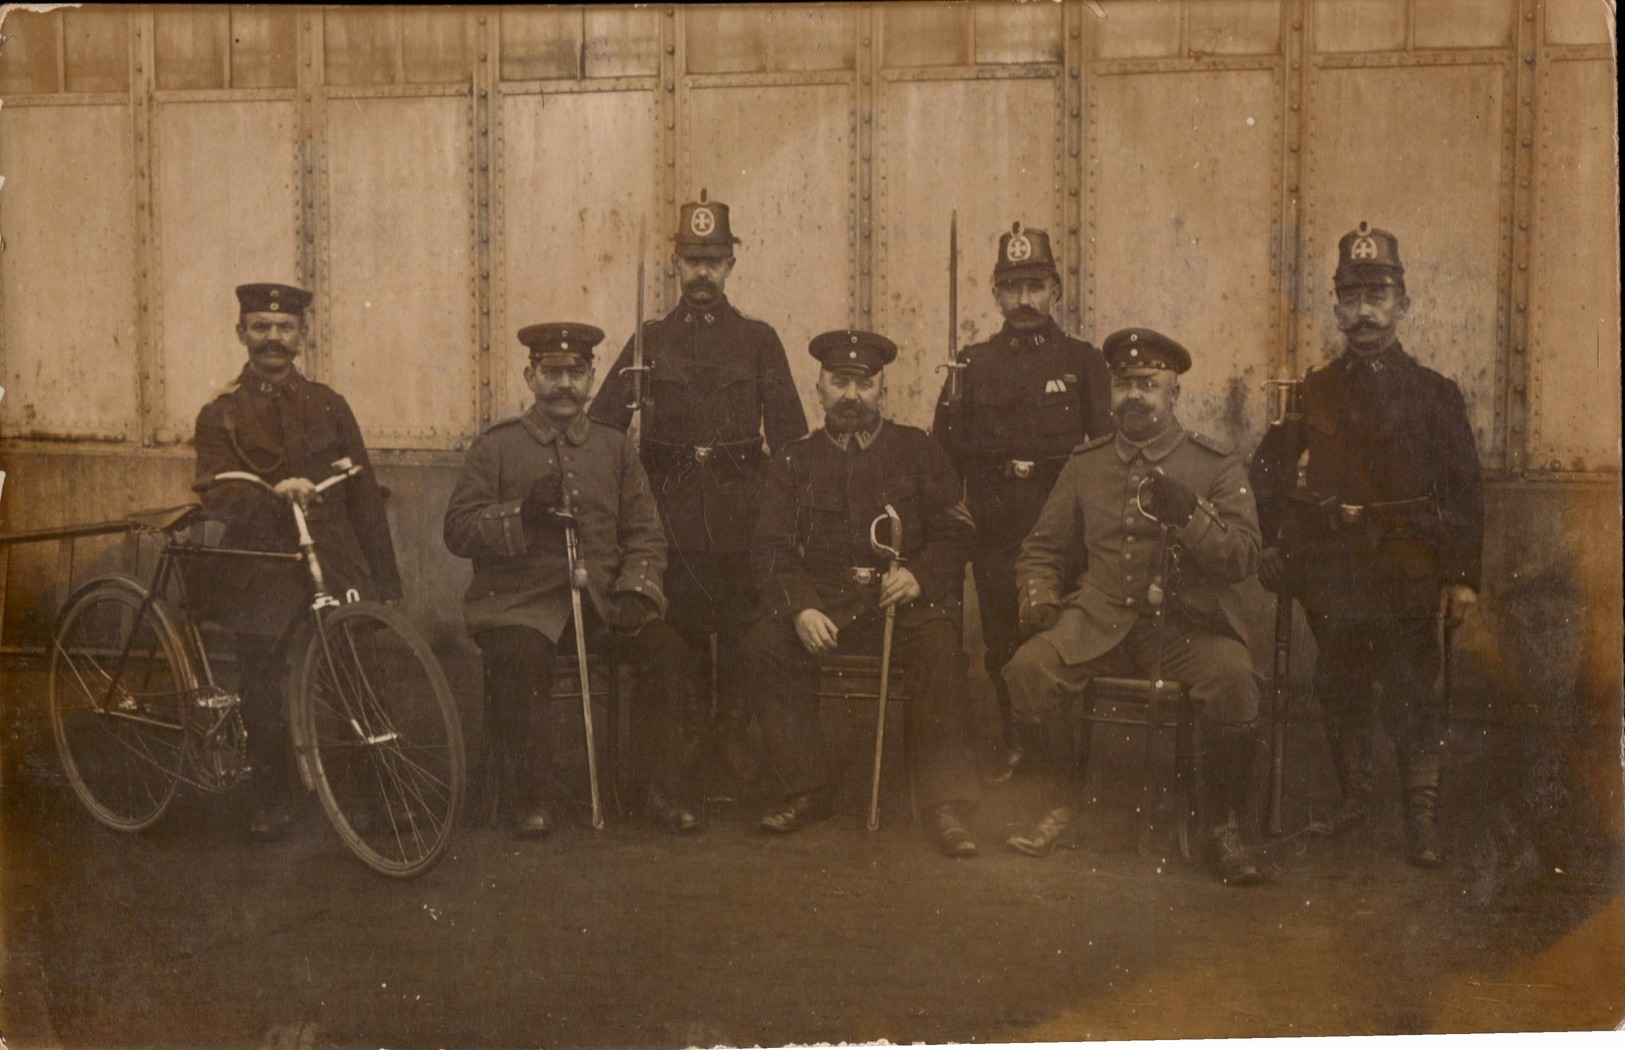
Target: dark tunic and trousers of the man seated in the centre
813, 552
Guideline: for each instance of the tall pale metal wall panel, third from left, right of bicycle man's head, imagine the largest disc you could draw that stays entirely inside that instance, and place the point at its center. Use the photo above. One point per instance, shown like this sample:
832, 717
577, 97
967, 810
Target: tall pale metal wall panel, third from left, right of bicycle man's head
401, 282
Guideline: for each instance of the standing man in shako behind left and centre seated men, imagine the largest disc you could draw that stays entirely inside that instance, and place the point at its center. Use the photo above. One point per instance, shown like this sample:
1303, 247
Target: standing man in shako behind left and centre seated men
717, 383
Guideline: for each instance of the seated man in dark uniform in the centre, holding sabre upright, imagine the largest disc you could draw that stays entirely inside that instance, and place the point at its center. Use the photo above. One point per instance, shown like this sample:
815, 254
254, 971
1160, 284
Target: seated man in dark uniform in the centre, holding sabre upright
826, 591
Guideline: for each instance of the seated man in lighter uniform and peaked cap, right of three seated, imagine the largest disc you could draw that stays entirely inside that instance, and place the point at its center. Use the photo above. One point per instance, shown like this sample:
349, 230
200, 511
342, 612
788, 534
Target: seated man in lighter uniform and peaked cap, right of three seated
1094, 575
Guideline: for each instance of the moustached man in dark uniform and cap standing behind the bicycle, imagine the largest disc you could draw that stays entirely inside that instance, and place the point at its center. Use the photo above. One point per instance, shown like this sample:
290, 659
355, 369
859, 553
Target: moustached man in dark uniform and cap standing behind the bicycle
280, 427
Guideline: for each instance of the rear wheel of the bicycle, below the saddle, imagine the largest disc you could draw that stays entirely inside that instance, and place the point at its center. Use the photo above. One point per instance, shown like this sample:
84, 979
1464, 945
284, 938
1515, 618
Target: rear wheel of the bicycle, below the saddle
123, 745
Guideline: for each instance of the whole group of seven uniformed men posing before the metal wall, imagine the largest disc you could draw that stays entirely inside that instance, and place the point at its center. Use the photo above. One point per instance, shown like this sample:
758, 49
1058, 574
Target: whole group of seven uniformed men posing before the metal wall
704, 523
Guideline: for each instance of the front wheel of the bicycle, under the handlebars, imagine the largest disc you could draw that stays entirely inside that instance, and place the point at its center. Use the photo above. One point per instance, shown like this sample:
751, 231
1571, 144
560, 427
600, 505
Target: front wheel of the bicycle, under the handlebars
381, 737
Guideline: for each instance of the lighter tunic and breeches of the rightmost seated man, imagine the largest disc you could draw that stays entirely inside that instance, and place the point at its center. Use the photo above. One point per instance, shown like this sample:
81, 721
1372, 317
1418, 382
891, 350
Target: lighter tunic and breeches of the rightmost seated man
1099, 558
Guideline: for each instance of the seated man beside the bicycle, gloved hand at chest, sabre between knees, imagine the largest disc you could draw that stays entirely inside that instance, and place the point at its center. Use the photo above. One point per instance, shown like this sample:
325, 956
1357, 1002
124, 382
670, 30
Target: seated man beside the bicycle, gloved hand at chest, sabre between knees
521, 484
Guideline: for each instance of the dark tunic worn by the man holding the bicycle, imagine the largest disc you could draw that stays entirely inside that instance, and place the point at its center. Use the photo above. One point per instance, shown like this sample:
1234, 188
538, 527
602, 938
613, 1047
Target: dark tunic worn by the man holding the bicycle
279, 432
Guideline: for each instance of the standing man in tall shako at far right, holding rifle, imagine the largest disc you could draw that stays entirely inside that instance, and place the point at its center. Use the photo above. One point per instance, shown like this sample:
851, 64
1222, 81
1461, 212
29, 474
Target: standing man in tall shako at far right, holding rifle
1384, 540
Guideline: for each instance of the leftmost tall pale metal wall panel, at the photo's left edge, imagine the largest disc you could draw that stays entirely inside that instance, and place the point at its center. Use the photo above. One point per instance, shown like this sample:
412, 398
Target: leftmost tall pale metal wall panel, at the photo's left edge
69, 272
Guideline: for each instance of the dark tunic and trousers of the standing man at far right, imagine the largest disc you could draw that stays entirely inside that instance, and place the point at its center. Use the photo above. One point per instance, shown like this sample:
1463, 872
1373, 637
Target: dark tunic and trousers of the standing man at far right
1390, 511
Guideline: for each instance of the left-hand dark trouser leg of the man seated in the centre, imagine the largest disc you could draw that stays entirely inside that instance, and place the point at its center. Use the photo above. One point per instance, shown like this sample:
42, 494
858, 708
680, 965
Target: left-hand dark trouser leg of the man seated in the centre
786, 677
